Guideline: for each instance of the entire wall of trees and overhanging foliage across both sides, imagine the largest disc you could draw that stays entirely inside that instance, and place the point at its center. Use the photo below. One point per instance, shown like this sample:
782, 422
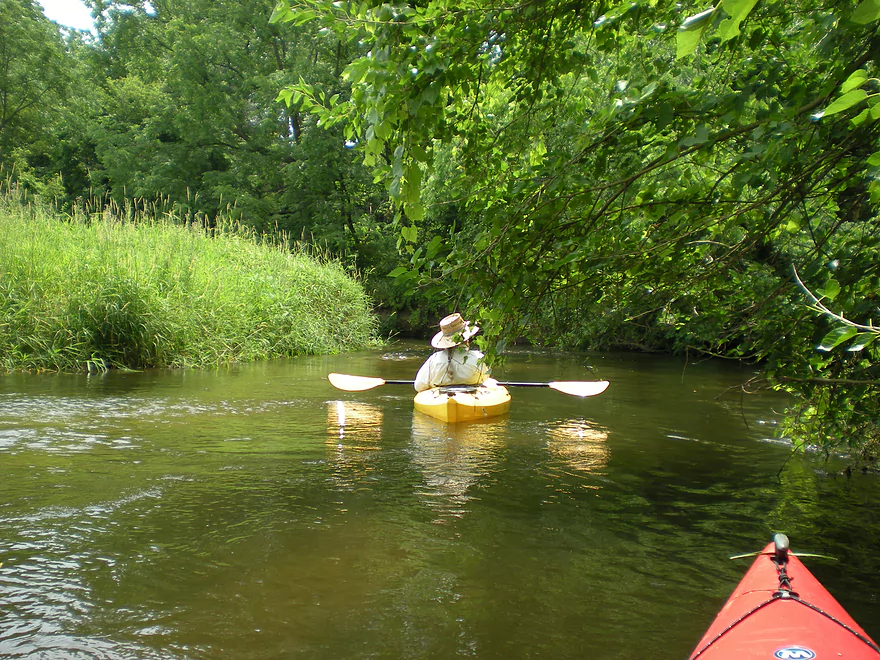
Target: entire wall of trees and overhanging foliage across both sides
649, 175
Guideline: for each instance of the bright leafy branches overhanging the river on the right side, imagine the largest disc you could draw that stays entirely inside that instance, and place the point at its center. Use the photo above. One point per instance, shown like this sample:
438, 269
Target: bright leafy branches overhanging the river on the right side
647, 174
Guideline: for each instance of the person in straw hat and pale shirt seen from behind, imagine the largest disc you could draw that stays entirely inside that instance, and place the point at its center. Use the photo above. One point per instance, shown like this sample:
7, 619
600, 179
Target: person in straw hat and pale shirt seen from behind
455, 363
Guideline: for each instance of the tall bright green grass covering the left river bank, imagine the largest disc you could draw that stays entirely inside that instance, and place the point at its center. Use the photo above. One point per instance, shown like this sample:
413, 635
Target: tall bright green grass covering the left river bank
78, 294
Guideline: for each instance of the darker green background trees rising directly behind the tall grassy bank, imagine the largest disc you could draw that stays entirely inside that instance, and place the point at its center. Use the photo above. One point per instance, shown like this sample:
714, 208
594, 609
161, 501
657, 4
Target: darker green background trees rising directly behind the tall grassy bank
173, 104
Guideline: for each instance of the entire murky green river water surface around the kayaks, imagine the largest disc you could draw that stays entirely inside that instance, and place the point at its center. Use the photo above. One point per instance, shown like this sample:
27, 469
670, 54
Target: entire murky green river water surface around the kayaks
259, 513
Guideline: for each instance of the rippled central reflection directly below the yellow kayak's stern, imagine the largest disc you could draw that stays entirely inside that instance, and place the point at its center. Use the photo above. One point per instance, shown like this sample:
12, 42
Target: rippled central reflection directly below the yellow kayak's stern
453, 458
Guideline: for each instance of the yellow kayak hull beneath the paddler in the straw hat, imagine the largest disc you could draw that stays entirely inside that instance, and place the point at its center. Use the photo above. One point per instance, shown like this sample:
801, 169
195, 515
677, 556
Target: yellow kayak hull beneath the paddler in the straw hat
463, 403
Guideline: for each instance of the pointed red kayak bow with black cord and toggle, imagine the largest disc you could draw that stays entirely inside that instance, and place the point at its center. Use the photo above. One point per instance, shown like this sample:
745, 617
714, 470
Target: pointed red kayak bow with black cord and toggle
779, 611
